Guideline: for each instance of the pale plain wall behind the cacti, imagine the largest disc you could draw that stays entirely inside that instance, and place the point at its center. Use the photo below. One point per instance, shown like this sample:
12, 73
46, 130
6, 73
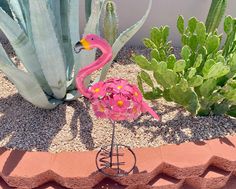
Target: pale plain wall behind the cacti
163, 12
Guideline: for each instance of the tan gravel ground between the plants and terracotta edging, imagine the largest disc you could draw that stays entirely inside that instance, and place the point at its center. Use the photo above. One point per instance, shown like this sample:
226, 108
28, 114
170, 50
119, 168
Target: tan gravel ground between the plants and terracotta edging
72, 126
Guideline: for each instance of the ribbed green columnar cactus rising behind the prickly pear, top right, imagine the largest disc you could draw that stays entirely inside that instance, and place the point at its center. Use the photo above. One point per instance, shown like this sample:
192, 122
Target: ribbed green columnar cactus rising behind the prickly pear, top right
215, 14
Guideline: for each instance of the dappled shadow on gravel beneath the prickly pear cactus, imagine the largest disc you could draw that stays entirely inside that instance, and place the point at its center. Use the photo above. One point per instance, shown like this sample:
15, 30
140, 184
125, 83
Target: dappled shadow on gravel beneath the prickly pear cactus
182, 127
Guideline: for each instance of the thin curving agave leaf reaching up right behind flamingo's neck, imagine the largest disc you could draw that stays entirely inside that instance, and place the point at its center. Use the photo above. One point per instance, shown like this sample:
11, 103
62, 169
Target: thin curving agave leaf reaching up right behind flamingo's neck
123, 38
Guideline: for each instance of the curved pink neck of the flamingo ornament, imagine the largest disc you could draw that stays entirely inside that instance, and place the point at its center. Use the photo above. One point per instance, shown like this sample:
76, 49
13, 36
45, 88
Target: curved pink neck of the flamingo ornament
97, 64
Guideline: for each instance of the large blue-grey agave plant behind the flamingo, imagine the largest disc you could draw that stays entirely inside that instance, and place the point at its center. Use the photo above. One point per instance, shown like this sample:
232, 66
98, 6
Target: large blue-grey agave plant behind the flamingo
43, 34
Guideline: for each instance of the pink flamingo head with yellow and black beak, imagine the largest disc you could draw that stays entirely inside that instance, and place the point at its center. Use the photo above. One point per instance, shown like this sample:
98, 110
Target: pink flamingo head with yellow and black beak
90, 42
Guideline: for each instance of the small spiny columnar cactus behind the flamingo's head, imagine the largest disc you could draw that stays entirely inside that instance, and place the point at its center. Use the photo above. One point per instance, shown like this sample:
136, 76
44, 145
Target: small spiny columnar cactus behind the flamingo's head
110, 24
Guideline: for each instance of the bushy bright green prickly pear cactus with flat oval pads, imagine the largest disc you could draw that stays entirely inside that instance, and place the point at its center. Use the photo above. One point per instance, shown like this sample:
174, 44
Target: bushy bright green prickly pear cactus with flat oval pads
203, 80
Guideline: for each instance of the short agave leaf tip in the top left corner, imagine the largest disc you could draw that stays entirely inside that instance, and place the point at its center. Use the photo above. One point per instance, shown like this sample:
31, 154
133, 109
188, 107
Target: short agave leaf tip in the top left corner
17, 13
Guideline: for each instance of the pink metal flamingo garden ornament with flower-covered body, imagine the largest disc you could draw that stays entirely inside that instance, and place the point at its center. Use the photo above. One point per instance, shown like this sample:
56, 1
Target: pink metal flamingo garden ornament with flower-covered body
115, 99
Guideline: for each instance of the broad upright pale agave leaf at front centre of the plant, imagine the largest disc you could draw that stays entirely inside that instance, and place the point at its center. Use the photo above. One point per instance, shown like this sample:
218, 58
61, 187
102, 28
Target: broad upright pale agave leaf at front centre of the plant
47, 47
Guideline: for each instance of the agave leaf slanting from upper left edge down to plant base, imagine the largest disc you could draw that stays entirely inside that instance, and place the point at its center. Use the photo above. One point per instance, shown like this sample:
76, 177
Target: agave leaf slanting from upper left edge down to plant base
23, 47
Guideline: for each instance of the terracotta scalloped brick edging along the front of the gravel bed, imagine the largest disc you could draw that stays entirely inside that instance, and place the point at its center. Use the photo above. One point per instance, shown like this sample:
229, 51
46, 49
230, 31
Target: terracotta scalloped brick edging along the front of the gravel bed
204, 165
